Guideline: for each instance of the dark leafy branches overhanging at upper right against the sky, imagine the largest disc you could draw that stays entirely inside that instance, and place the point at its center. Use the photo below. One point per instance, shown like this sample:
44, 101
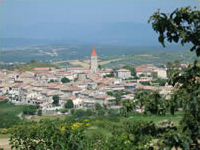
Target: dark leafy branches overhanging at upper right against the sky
182, 24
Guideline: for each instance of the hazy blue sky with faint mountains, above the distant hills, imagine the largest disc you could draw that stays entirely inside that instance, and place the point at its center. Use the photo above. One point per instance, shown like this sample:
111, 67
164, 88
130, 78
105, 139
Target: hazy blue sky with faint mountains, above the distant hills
82, 19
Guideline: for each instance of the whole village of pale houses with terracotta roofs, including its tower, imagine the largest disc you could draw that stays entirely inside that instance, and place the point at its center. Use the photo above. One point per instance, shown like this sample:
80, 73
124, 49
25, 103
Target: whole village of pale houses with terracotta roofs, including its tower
84, 86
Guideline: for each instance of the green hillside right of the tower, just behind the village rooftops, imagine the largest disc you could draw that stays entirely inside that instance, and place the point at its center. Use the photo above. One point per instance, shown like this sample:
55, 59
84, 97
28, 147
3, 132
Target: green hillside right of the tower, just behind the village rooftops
157, 58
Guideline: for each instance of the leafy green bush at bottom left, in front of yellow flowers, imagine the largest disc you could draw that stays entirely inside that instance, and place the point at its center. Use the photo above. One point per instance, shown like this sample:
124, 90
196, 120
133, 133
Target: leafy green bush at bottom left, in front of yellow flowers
48, 135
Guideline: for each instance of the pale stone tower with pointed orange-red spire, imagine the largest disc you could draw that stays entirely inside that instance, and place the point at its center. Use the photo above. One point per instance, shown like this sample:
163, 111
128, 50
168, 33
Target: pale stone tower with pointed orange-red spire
94, 63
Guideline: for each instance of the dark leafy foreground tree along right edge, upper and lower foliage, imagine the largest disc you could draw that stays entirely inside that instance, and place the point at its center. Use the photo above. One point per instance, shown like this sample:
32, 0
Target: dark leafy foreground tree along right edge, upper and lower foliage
184, 25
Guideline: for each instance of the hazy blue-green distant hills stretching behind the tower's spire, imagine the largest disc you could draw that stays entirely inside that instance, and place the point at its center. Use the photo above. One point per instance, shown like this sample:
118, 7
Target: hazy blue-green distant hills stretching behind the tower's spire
53, 53
